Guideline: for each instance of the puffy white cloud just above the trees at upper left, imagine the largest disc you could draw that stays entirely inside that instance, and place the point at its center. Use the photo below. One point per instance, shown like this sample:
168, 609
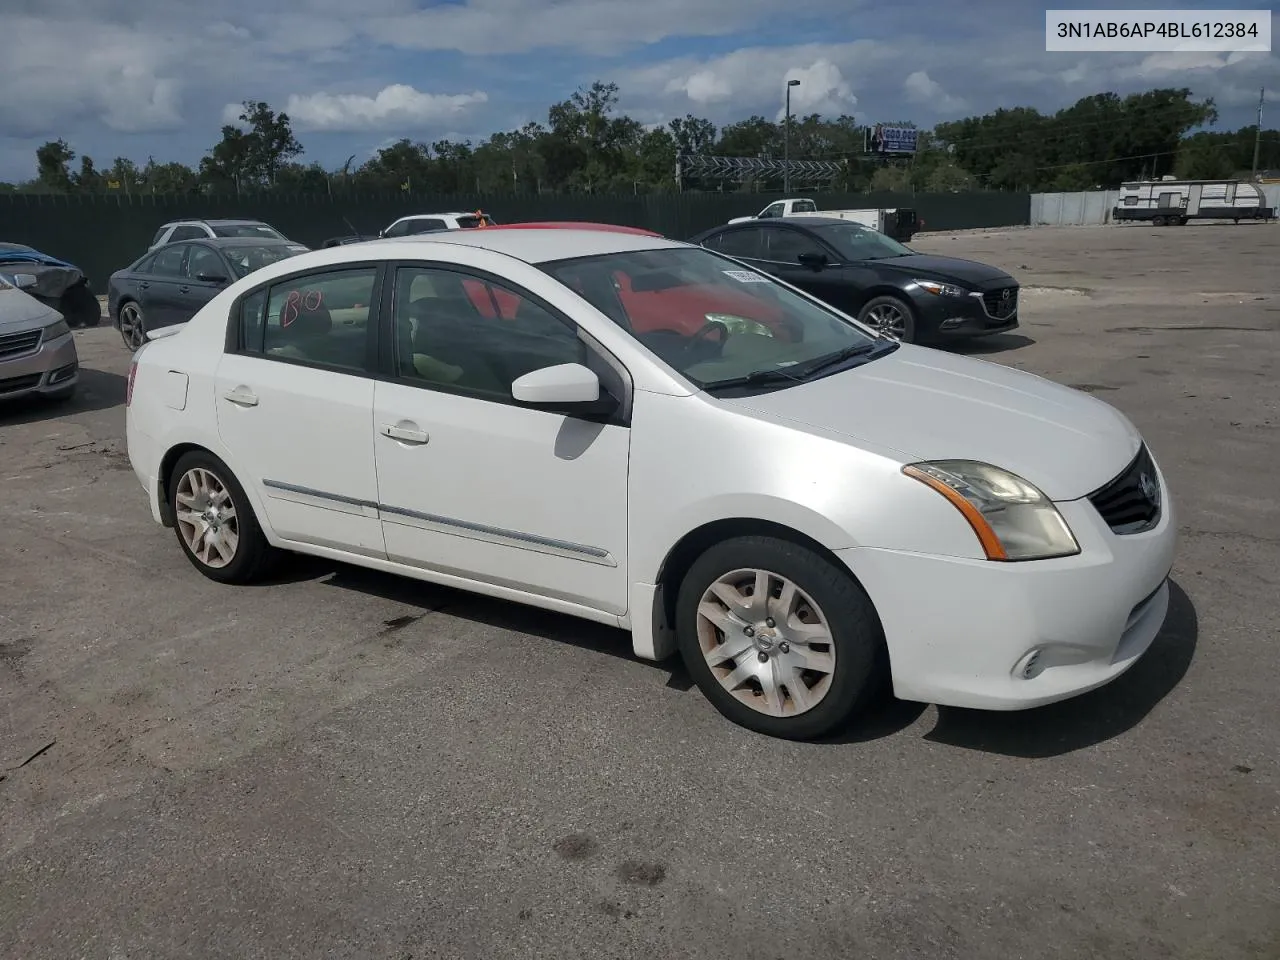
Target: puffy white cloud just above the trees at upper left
399, 107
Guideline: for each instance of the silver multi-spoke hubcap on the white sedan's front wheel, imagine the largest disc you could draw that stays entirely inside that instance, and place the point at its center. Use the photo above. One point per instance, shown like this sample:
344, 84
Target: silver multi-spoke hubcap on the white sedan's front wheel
766, 642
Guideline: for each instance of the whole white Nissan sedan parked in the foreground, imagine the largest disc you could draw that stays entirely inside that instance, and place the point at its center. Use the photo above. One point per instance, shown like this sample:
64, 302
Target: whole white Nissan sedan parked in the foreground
650, 435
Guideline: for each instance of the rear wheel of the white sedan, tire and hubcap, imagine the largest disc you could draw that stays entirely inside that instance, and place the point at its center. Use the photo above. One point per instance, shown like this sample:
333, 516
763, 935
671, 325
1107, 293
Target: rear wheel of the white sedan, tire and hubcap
216, 523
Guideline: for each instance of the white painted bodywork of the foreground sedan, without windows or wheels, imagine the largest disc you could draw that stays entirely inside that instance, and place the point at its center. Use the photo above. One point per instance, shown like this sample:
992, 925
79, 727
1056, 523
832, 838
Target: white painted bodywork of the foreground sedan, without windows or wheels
580, 518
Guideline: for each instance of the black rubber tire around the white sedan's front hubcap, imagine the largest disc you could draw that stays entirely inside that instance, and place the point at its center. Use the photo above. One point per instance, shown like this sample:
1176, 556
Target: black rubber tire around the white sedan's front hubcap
857, 637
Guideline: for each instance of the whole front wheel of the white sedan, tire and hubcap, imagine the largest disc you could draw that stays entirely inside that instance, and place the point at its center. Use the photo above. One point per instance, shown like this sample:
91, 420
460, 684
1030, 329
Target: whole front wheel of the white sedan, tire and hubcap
778, 638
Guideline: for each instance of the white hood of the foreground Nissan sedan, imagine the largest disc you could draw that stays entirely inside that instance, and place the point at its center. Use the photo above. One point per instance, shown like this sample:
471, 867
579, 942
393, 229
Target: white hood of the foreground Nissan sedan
930, 405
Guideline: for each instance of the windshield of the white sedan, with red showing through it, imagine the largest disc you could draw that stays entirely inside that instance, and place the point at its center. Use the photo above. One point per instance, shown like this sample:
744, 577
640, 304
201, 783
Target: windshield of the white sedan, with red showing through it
710, 318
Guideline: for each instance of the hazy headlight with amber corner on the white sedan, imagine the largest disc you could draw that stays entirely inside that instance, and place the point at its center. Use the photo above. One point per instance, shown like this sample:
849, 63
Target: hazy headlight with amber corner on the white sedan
1013, 520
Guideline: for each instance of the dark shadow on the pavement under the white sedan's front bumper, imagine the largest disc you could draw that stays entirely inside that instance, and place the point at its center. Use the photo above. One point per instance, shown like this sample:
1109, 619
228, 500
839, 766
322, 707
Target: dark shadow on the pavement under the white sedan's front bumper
1089, 720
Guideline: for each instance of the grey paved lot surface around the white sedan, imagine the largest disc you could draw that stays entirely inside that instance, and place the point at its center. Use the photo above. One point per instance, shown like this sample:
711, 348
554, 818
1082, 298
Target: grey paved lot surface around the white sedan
345, 765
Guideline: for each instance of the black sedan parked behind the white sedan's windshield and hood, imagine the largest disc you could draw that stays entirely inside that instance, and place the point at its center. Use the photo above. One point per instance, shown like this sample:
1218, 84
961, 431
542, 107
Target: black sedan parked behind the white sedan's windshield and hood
888, 286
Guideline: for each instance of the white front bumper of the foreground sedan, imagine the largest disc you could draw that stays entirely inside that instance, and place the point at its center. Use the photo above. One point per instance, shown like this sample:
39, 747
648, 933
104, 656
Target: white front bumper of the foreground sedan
962, 632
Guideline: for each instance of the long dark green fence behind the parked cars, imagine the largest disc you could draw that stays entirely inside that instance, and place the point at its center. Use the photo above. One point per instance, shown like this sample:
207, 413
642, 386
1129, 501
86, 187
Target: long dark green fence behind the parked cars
103, 234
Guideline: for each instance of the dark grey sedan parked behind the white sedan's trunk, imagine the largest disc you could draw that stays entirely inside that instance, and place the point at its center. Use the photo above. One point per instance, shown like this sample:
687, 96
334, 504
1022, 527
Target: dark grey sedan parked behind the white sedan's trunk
170, 285
